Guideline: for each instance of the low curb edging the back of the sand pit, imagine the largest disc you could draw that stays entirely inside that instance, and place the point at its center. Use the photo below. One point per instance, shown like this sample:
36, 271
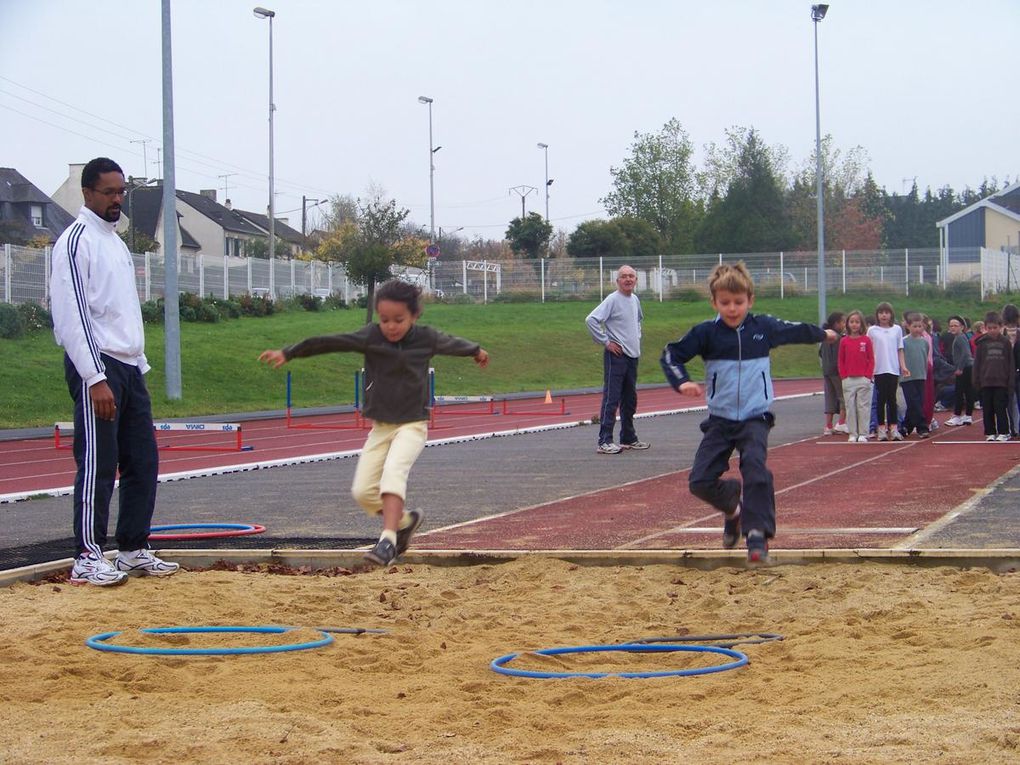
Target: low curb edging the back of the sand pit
998, 560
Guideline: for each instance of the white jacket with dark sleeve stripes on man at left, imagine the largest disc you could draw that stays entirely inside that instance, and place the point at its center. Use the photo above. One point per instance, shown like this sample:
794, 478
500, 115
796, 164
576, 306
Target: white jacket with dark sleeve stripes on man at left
94, 299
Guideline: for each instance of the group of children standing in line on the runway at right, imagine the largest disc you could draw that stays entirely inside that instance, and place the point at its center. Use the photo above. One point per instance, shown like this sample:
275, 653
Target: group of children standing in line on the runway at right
883, 381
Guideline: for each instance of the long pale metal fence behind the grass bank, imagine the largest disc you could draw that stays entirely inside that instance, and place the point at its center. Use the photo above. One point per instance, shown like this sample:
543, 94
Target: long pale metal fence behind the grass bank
25, 274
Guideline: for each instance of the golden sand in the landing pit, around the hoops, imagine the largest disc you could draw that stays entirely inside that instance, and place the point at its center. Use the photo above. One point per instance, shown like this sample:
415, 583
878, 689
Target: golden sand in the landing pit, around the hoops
881, 664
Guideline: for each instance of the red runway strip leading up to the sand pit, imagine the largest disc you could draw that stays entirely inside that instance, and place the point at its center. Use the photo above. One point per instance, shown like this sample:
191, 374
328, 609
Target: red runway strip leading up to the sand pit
830, 494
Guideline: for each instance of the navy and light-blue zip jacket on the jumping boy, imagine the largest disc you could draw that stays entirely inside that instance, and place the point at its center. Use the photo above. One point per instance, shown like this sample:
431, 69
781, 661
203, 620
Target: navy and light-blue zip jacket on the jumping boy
738, 372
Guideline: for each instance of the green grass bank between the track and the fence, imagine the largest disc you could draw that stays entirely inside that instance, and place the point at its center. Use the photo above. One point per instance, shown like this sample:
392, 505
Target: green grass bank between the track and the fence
534, 347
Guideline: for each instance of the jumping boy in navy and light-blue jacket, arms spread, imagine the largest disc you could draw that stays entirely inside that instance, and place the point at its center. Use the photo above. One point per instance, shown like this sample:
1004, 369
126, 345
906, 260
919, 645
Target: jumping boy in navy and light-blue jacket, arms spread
736, 347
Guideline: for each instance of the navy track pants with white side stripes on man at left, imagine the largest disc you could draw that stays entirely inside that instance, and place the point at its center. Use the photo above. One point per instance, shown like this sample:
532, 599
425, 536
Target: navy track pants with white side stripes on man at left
101, 448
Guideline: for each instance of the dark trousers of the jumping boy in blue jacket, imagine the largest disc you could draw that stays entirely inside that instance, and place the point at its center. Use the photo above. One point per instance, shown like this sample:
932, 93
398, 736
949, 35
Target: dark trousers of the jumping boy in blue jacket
750, 439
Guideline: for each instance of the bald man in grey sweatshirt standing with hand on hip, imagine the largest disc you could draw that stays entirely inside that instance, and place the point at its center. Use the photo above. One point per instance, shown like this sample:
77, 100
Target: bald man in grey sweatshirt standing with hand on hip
616, 325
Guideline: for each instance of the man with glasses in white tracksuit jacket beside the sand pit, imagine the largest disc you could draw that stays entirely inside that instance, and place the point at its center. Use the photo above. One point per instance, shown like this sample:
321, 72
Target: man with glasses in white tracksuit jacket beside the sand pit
98, 322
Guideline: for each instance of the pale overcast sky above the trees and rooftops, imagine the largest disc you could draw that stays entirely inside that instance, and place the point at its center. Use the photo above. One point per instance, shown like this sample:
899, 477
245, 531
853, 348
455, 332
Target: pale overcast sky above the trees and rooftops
925, 86
